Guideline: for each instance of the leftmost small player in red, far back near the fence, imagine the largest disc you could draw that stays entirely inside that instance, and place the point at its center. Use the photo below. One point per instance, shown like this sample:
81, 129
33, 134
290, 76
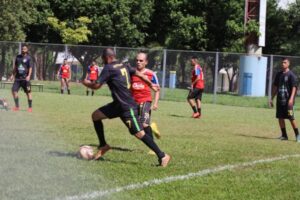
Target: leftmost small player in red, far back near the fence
64, 73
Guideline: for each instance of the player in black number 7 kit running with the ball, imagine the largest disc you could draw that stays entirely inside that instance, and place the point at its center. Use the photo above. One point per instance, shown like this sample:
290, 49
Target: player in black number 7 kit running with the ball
118, 76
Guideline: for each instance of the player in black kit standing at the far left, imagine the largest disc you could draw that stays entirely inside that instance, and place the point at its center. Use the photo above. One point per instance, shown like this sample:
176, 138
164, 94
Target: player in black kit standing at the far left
21, 75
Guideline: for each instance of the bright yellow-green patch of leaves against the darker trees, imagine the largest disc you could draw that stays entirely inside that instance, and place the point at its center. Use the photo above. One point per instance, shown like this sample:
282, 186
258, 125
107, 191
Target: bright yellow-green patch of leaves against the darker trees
78, 33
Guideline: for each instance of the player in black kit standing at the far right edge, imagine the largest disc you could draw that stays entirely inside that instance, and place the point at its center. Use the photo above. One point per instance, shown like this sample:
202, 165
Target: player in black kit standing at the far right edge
285, 87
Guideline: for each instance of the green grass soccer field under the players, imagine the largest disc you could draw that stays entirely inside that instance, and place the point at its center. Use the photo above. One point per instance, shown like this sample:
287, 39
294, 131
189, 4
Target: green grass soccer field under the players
230, 153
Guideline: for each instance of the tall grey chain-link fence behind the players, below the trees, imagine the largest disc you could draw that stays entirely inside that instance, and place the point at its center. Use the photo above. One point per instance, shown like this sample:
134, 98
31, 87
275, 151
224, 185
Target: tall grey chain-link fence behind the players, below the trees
173, 67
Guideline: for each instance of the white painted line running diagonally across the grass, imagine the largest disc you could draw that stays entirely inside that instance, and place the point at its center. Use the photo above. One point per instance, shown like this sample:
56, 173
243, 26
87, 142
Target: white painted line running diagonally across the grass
97, 194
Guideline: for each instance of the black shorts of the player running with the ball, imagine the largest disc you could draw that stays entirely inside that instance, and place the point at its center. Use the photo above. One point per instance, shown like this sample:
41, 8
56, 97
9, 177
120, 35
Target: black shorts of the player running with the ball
129, 116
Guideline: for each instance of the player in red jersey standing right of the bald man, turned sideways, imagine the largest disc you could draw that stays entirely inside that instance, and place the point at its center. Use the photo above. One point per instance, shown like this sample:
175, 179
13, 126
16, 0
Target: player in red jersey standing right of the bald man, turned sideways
195, 95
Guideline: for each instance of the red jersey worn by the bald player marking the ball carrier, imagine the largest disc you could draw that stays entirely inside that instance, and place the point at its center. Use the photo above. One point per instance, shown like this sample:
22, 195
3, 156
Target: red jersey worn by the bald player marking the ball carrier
140, 90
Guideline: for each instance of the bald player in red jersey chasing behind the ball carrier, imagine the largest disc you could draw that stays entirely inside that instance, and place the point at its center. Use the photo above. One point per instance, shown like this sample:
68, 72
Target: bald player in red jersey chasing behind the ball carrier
142, 94
